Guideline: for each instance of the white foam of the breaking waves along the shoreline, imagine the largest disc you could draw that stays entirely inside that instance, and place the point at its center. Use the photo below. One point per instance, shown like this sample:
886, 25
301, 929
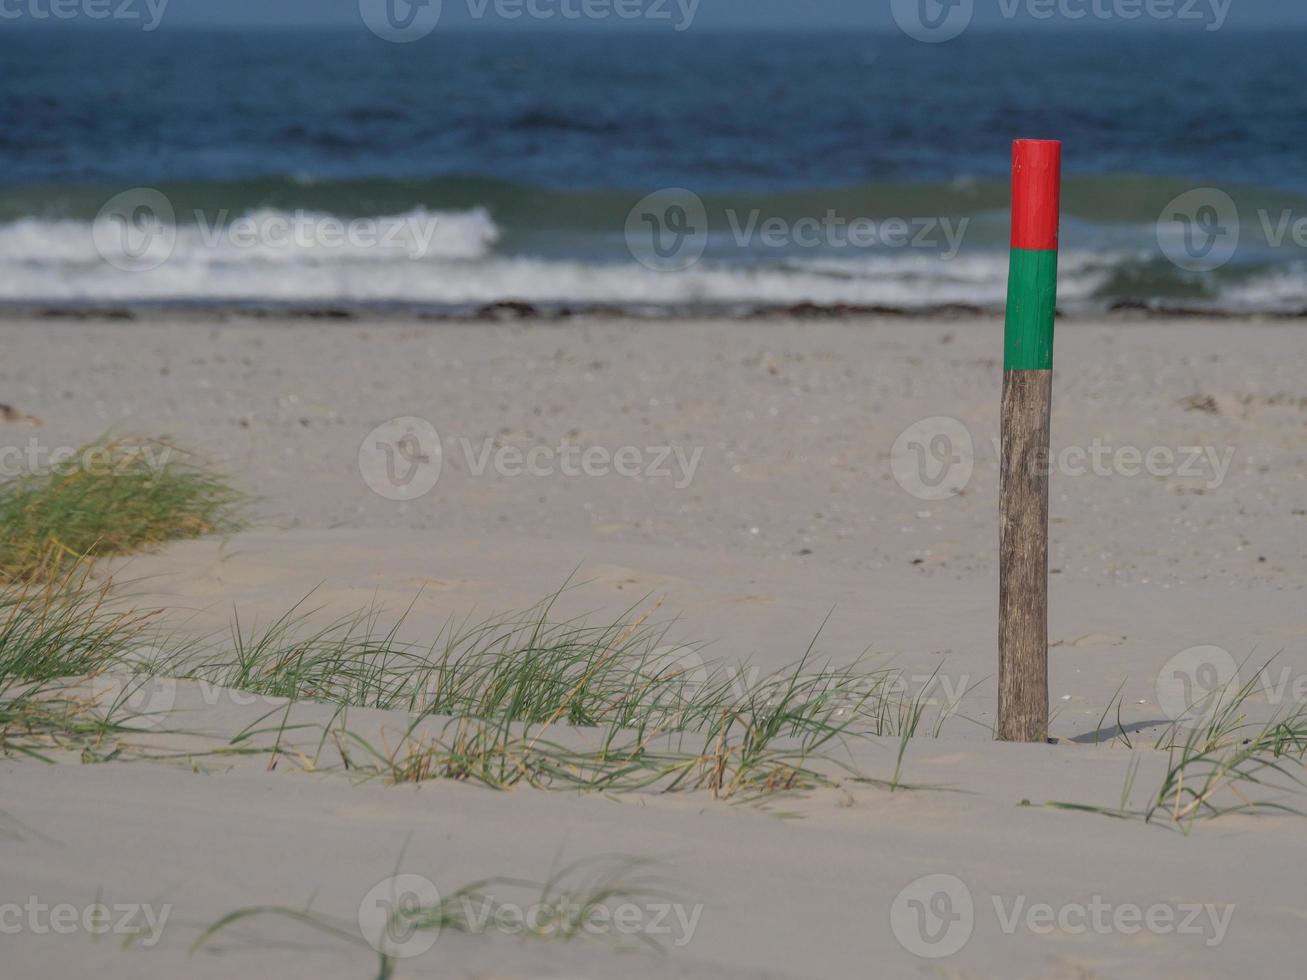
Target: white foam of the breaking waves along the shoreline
449, 258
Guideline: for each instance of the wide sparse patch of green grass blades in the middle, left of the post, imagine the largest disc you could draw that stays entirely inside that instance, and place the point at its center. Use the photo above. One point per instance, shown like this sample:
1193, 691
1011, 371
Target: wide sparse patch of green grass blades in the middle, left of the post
529, 700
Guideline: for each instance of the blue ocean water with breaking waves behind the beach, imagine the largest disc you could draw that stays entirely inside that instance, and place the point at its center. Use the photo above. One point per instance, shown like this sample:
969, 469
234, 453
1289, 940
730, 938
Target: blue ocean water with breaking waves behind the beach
657, 172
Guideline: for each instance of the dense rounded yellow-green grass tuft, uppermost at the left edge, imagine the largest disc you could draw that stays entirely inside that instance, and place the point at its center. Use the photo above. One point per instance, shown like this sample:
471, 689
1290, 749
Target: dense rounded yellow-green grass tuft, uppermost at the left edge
110, 498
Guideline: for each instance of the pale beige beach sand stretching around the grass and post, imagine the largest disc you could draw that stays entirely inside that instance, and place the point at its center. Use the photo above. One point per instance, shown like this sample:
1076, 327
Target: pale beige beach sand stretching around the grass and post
782, 513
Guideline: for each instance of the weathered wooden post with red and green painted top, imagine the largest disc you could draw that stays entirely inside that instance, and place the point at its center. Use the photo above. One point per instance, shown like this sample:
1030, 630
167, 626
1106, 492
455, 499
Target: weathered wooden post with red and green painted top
1024, 474
